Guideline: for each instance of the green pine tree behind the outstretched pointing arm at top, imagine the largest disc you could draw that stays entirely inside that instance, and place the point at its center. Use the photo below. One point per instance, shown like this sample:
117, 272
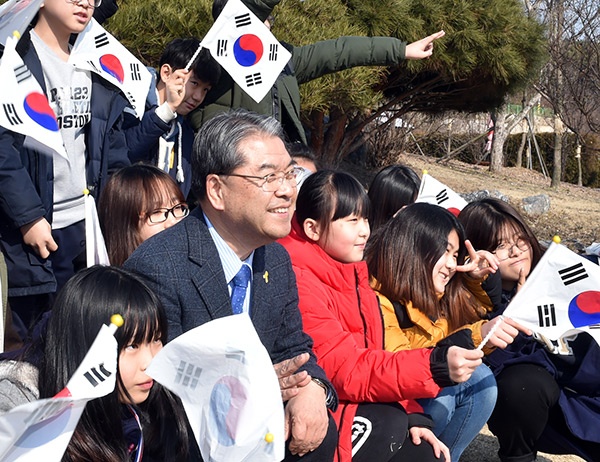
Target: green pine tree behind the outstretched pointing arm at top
490, 49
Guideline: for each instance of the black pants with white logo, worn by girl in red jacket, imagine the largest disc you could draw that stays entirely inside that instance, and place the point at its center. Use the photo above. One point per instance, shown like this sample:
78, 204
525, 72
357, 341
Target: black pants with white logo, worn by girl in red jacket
380, 433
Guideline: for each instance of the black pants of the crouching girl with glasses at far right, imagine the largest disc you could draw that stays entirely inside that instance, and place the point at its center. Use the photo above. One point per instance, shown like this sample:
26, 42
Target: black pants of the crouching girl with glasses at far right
527, 419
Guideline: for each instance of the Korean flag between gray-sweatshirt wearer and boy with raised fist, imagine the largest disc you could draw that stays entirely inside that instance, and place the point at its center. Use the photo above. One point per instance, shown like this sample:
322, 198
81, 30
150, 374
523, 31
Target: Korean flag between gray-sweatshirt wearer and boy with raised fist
98, 51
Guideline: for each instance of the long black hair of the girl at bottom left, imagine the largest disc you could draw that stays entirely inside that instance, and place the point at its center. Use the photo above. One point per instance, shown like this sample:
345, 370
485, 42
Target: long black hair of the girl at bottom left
87, 301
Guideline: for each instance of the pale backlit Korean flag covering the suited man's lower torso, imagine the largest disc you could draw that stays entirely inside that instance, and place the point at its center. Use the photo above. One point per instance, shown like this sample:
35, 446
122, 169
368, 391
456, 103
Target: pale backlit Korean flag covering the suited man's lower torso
226, 381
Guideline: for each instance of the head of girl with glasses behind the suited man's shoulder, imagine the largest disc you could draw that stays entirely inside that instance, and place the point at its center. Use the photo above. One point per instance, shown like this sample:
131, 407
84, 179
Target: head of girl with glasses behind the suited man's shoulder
138, 202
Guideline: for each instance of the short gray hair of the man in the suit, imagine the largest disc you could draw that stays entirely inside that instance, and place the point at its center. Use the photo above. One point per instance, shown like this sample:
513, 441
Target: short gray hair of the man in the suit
217, 144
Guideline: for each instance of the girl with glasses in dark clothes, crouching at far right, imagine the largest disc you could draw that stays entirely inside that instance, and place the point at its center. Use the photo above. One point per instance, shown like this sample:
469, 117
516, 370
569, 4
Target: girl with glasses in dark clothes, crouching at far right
546, 402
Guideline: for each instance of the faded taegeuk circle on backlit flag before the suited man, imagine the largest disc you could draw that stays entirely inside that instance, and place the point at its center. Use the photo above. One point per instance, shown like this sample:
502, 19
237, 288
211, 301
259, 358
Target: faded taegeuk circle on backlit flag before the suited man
227, 400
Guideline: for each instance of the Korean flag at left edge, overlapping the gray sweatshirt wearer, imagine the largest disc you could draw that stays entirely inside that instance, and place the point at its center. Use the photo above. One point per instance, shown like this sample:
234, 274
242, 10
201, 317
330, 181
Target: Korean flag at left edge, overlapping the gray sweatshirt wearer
25, 108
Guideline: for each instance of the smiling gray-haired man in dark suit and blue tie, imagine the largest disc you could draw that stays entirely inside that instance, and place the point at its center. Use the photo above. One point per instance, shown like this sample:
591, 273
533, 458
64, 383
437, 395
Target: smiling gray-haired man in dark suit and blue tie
245, 183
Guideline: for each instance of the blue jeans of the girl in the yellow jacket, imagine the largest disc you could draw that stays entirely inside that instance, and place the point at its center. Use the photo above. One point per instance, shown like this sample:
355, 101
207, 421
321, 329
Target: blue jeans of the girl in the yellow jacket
460, 412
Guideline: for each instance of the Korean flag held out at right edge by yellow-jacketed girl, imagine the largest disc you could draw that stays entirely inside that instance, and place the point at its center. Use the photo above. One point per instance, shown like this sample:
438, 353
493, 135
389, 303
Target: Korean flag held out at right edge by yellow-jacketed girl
560, 298
